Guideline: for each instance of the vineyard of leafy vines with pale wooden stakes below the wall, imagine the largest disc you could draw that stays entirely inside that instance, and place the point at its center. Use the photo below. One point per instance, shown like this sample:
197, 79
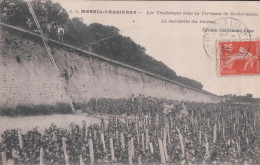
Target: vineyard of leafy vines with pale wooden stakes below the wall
210, 134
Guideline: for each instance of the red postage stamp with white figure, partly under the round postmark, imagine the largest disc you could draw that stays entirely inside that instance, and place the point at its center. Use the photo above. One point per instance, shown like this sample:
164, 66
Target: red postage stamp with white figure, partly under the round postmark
239, 58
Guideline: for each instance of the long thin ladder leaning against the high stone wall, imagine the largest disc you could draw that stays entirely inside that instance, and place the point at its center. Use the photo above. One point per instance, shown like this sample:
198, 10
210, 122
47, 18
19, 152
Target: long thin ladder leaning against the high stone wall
49, 52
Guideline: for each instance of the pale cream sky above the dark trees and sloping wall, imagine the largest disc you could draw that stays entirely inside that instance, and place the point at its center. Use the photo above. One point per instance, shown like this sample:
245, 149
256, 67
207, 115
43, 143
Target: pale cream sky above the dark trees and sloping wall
179, 45
